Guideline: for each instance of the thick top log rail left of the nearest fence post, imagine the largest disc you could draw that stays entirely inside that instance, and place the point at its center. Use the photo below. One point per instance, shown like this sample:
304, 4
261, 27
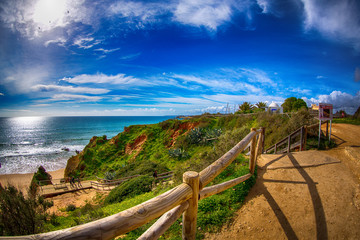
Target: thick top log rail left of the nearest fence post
125, 221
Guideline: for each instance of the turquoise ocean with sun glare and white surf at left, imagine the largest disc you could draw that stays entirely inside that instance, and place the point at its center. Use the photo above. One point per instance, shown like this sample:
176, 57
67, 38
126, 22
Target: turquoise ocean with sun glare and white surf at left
28, 142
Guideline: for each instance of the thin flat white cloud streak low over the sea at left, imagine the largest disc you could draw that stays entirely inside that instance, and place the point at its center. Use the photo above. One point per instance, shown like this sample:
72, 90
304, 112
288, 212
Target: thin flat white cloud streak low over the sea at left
69, 89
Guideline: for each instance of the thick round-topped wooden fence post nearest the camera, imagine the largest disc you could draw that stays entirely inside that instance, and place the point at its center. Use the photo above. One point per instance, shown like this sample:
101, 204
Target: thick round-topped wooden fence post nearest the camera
190, 215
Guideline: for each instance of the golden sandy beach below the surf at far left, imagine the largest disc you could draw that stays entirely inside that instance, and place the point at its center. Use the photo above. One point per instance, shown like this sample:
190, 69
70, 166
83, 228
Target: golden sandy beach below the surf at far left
22, 181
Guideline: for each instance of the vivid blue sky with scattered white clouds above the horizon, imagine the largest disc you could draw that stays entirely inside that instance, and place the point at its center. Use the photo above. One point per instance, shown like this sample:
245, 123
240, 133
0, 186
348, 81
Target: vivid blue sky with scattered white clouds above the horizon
176, 57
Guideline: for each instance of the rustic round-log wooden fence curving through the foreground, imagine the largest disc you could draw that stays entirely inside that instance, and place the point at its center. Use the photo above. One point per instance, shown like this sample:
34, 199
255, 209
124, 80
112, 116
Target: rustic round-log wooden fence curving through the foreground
169, 206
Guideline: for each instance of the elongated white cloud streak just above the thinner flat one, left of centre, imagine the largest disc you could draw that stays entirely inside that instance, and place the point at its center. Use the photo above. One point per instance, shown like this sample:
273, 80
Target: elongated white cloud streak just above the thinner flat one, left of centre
118, 79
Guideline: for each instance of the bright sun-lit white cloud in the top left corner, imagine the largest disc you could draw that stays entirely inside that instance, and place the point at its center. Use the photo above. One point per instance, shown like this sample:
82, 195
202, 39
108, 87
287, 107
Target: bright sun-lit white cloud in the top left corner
33, 19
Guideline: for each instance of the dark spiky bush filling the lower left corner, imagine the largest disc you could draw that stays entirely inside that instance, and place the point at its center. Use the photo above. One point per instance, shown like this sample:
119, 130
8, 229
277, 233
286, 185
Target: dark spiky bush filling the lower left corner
21, 215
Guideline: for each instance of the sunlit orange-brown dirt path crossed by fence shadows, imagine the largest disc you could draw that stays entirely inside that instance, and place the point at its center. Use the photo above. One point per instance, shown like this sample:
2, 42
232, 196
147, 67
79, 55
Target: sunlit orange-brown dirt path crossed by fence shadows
305, 195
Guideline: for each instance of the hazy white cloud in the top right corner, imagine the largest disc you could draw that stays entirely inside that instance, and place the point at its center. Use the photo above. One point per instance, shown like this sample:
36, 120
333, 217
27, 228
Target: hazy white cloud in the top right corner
337, 20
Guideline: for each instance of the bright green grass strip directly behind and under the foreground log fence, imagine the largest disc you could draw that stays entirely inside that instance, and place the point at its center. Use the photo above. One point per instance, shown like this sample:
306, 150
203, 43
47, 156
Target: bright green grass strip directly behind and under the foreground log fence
213, 211
